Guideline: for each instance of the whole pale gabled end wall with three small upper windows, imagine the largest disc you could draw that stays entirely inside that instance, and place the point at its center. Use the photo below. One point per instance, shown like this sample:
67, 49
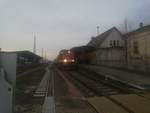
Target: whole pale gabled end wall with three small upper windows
111, 54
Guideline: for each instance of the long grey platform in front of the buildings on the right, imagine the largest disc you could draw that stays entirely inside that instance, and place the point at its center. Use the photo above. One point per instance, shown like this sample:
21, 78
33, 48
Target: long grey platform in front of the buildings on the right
129, 77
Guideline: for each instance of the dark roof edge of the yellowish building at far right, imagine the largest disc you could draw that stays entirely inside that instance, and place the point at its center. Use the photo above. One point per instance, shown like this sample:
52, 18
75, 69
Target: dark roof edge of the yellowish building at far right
139, 30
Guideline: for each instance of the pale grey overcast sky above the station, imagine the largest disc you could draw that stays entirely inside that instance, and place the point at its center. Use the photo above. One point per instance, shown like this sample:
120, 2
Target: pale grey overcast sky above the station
63, 24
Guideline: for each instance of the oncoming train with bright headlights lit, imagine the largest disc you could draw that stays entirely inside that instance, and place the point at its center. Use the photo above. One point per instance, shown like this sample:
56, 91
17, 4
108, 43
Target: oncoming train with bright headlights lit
71, 58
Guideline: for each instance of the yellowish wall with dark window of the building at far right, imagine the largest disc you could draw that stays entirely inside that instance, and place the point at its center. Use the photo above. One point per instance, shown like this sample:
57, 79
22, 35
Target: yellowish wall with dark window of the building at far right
139, 50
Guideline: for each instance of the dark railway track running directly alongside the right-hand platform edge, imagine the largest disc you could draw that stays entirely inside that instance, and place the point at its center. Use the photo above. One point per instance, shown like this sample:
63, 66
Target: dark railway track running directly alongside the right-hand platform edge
123, 87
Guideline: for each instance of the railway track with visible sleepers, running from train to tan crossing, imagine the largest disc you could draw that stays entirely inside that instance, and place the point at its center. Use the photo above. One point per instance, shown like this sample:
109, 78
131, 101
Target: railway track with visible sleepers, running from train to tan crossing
93, 87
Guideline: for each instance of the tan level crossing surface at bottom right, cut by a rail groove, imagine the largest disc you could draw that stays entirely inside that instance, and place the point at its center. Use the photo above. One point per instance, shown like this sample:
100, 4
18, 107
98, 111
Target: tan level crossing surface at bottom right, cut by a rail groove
132, 103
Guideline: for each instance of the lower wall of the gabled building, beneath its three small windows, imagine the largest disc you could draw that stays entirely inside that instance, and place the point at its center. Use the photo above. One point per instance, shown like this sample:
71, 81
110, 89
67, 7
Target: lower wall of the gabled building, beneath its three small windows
109, 57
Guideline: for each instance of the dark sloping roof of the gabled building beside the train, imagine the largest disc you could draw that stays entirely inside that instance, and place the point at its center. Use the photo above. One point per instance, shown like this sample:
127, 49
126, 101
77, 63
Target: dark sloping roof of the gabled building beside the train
96, 41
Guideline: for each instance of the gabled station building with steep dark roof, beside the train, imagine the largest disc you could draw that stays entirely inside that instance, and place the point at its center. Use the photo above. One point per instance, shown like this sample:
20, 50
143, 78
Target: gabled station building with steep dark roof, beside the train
110, 48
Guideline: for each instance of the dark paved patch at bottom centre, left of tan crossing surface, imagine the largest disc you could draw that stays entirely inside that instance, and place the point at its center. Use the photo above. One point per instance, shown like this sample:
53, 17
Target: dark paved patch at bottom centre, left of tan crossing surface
73, 105
